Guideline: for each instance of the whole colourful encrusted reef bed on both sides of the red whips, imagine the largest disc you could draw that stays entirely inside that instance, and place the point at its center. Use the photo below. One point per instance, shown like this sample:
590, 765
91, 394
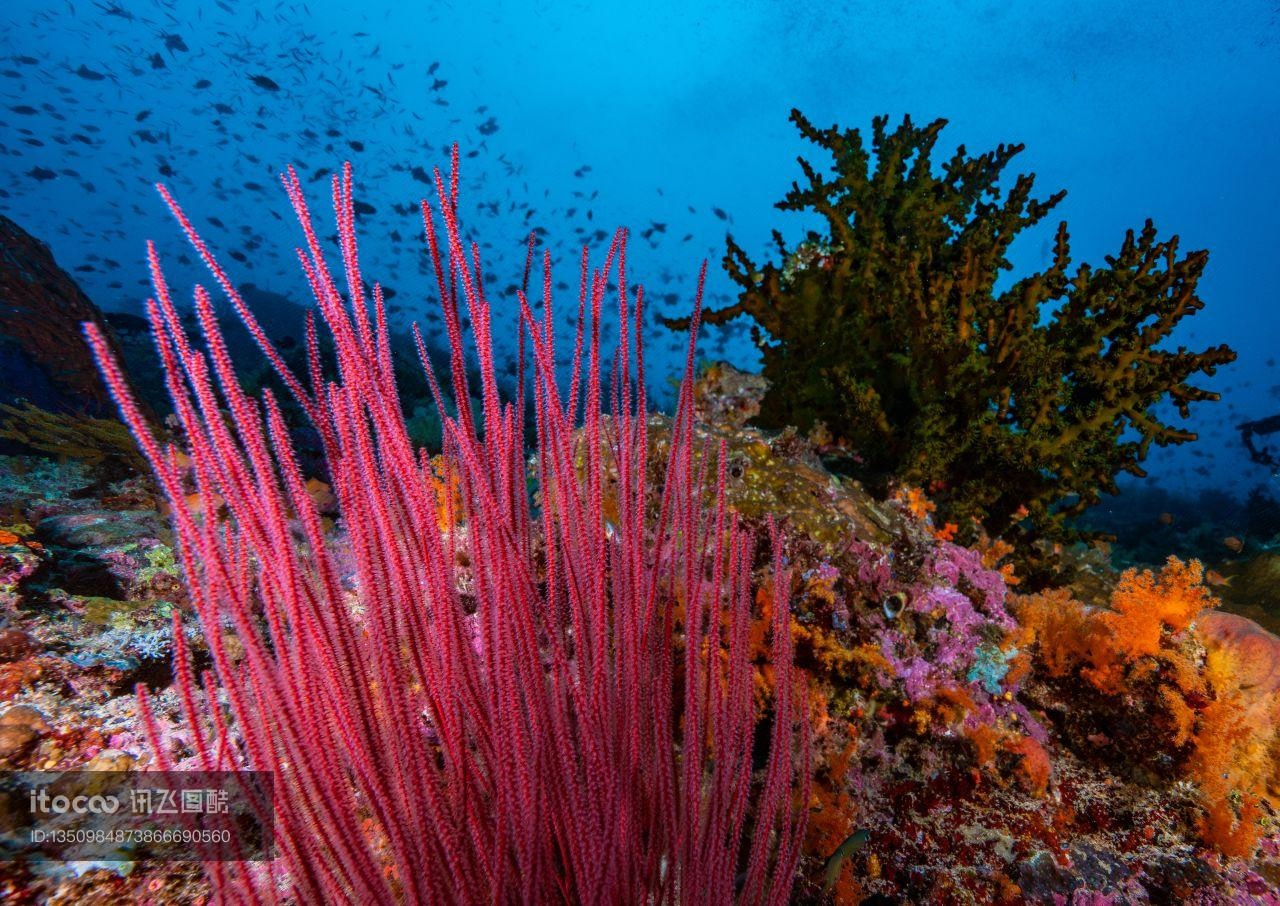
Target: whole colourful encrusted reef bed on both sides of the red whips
998, 783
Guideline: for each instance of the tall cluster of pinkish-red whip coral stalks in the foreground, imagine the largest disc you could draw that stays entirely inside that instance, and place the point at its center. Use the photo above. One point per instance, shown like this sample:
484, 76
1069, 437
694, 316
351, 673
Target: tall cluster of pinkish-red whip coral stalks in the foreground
496, 710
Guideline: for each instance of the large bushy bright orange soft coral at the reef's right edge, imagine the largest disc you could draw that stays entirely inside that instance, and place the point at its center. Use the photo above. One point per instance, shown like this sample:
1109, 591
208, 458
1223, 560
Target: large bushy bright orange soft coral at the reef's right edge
1140, 648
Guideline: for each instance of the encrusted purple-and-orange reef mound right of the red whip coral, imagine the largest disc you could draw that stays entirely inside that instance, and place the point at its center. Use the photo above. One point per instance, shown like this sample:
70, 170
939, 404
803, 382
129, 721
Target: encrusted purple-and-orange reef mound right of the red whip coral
952, 765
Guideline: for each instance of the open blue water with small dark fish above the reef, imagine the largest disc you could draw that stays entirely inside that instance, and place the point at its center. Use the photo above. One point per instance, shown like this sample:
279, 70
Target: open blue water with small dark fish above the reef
586, 117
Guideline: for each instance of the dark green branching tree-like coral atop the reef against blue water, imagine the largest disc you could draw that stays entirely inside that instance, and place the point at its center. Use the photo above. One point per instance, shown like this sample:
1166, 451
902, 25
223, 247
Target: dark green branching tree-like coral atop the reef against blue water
1016, 409
